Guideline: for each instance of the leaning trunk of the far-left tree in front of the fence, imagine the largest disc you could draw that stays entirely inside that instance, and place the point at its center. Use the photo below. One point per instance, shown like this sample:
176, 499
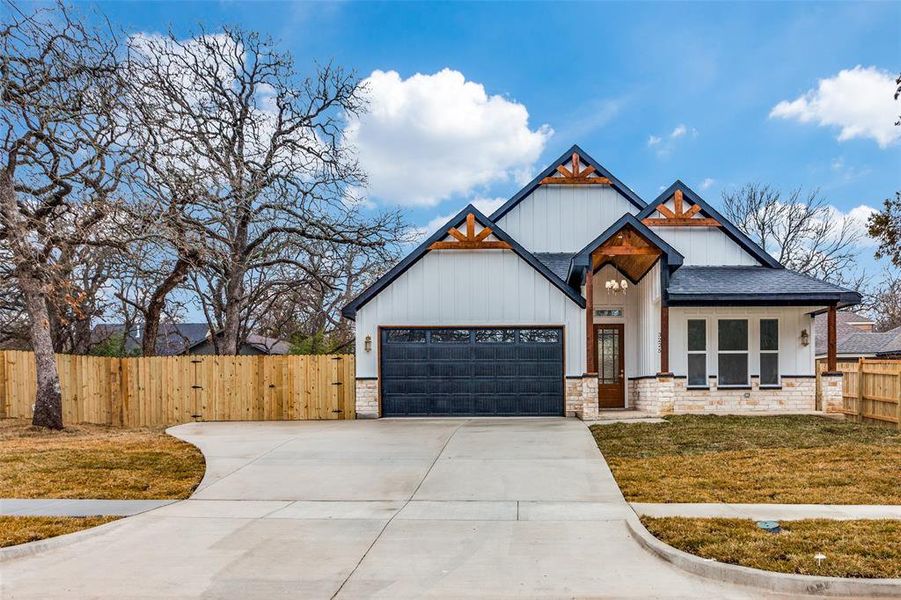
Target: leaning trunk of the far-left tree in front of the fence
48, 405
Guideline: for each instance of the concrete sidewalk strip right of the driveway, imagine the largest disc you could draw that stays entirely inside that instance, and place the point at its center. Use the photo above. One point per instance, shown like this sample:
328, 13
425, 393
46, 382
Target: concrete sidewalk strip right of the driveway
765, 512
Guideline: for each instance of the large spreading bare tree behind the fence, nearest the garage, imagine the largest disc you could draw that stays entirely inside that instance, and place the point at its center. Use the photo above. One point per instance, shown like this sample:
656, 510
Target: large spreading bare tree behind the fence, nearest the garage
271, 178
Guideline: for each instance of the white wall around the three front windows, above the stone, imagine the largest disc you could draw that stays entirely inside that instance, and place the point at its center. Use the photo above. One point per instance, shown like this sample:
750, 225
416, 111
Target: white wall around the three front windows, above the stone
794, 358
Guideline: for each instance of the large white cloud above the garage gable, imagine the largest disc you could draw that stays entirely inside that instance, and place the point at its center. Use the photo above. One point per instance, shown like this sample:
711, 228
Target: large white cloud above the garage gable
429, 137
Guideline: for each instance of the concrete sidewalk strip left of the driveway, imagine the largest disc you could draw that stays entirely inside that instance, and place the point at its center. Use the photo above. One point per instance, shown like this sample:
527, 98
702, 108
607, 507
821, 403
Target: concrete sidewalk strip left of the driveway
17, 507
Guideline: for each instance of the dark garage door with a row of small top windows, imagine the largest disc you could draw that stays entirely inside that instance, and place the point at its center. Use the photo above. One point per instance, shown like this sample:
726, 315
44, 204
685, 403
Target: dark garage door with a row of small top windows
472, 372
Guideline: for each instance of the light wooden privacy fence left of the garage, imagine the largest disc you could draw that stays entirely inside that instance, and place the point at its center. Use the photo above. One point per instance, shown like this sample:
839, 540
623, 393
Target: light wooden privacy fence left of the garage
164, 390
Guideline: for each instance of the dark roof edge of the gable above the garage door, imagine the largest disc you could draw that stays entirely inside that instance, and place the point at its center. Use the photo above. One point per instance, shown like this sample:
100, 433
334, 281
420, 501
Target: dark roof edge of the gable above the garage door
400, 268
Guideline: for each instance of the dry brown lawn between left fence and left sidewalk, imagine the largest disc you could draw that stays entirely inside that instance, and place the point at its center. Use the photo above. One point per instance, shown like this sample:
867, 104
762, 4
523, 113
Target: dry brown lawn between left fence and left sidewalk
93, 461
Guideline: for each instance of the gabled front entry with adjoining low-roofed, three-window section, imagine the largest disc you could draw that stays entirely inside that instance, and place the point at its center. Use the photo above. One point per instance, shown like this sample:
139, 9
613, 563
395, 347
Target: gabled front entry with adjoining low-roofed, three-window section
658, 341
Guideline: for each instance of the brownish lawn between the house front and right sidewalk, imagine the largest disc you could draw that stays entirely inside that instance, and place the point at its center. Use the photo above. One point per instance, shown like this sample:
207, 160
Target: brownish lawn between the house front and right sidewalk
790, 459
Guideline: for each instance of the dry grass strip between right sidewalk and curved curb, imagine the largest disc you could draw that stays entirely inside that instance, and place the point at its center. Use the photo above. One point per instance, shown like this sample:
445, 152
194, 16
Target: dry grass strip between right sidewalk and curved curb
852, 548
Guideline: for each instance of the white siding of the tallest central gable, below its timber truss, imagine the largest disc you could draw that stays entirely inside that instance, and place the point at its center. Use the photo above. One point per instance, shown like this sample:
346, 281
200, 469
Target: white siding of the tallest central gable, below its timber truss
564, 218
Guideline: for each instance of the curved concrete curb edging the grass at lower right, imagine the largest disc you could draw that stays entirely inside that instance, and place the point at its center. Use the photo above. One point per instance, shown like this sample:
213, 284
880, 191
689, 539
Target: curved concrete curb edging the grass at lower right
766, 580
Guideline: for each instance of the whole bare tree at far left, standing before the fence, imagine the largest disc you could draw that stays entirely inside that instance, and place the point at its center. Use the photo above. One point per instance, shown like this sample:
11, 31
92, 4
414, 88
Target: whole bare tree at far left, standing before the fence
60, 137
